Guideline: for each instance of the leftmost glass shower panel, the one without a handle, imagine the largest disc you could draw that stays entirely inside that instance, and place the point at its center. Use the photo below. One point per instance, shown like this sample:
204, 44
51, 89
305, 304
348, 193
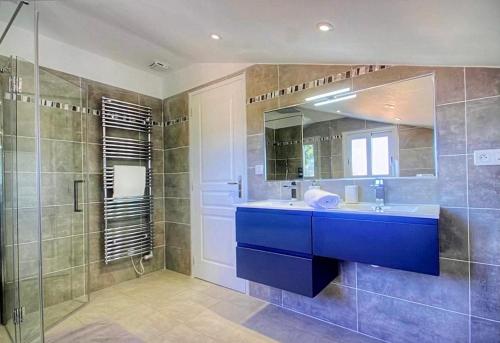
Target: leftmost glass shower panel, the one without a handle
21, 261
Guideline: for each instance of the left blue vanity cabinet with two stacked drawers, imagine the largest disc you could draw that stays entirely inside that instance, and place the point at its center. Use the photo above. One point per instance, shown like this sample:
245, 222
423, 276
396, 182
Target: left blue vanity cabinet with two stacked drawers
275, 248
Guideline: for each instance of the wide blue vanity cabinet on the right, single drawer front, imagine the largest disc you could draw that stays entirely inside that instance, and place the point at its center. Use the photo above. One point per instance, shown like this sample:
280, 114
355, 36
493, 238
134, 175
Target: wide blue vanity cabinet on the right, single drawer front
395, 242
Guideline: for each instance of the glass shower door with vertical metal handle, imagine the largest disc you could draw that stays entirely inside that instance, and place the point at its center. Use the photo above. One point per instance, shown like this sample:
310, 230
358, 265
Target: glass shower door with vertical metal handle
64, 195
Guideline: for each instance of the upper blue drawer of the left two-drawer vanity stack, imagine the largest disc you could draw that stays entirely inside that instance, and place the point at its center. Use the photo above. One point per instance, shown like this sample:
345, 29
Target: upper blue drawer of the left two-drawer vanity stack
275, 229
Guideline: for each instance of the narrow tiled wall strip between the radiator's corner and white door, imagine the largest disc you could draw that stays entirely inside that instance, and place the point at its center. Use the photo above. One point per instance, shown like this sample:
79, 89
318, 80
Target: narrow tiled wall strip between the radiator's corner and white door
177, 193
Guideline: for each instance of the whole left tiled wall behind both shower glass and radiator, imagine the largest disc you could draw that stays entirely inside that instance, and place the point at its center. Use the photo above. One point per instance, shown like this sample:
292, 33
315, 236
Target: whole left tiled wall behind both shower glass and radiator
71, 149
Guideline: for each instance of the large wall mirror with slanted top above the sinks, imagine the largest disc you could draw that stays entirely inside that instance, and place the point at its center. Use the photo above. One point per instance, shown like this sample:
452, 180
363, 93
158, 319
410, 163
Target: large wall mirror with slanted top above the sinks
384, 131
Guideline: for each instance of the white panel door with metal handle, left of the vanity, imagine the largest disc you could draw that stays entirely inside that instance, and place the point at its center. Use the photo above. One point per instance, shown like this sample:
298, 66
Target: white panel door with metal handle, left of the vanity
218, 180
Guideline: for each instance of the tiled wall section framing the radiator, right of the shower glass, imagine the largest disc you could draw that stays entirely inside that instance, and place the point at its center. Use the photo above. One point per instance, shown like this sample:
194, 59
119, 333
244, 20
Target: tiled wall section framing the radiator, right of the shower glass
102, 275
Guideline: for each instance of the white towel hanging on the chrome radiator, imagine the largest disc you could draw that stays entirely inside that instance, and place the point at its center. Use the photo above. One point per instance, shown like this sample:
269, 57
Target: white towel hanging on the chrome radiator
129, 181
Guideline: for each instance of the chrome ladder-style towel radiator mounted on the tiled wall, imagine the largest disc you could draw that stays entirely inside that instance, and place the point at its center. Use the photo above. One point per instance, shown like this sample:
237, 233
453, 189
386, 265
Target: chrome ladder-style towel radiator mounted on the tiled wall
128, 222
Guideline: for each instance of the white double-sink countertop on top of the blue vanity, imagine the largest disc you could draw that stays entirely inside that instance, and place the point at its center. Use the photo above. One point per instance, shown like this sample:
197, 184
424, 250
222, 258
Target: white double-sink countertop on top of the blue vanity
405, 210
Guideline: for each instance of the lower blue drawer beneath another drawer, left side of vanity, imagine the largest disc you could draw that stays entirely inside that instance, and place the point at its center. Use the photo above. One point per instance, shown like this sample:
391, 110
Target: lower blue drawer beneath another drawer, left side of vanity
306, 276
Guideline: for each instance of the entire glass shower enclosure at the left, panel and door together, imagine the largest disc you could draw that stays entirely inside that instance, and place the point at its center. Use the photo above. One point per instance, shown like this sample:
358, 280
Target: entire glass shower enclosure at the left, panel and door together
43, 185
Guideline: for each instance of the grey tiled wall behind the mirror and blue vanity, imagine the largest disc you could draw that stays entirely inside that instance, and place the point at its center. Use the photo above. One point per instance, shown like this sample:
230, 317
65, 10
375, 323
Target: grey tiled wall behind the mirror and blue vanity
463, 303
